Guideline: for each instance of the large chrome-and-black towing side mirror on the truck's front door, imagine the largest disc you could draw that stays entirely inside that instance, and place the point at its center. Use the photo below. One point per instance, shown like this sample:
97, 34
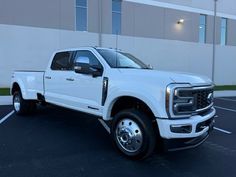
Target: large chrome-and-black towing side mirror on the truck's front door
82, 66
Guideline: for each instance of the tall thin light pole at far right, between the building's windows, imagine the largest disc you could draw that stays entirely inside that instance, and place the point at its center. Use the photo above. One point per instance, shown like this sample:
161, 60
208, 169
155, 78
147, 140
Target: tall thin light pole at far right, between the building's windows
214, 41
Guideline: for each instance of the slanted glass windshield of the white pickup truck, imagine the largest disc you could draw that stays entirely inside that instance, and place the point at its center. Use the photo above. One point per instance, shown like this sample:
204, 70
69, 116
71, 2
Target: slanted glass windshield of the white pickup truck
117, 59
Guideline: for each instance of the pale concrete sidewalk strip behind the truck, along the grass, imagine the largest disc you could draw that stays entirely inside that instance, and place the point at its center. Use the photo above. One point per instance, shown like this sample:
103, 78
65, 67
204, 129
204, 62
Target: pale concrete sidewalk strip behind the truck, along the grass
7, 100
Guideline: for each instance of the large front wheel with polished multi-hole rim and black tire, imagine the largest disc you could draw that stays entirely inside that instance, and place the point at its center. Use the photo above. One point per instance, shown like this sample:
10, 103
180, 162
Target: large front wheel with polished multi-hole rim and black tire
133, 134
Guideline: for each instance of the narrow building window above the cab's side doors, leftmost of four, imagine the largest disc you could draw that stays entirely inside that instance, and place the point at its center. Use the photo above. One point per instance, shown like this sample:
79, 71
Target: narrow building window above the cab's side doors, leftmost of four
81, 15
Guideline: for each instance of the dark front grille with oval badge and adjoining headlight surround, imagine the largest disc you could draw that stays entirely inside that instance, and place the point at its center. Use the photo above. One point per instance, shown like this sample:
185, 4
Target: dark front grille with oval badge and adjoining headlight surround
183, 100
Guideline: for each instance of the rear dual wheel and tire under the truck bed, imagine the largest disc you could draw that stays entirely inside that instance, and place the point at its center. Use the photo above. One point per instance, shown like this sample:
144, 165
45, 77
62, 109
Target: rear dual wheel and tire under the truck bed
21, 106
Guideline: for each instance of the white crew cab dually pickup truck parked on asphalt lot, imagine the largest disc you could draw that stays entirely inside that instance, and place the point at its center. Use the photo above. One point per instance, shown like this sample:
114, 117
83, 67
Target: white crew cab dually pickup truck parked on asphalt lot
143, 108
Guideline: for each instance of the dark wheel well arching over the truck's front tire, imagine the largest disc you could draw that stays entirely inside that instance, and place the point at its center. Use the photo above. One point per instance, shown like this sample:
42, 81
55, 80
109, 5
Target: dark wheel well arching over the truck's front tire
128, 102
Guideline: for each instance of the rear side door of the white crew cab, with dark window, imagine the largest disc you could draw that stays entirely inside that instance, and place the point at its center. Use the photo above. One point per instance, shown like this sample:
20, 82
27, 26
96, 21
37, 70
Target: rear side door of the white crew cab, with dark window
57, 78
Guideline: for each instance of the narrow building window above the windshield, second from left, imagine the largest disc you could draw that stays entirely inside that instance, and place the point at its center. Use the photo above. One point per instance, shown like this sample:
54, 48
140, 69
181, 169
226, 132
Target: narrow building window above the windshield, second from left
116, 16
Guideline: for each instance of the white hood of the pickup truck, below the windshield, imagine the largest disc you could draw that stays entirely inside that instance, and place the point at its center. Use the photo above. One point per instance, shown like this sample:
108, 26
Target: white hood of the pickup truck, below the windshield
167, 77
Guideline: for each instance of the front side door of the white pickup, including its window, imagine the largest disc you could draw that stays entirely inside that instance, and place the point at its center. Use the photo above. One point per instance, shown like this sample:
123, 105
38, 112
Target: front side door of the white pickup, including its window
87, 86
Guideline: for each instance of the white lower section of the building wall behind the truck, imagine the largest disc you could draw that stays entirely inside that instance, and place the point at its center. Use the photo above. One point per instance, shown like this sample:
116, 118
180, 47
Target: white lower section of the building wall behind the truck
30, 48
